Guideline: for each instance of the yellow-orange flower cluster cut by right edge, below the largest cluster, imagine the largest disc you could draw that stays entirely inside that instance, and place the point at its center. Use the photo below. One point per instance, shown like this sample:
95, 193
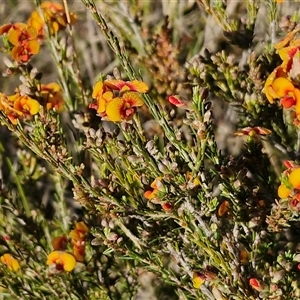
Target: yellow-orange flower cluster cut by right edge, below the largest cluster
290, 185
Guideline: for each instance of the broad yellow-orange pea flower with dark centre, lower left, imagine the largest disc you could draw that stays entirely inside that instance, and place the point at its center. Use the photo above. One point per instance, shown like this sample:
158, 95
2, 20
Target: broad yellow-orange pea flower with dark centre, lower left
61, 260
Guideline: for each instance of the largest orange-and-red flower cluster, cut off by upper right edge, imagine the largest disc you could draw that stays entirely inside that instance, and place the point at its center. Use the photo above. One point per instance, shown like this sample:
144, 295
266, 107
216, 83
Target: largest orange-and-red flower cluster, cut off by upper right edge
284, 82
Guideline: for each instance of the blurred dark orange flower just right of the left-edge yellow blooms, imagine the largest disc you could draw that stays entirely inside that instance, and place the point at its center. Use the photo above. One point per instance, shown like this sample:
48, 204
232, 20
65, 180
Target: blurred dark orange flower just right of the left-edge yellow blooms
52, 95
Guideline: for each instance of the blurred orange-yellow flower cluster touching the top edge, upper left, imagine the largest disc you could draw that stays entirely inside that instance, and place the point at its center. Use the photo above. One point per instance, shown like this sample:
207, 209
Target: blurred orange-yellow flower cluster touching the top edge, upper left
54, 15
